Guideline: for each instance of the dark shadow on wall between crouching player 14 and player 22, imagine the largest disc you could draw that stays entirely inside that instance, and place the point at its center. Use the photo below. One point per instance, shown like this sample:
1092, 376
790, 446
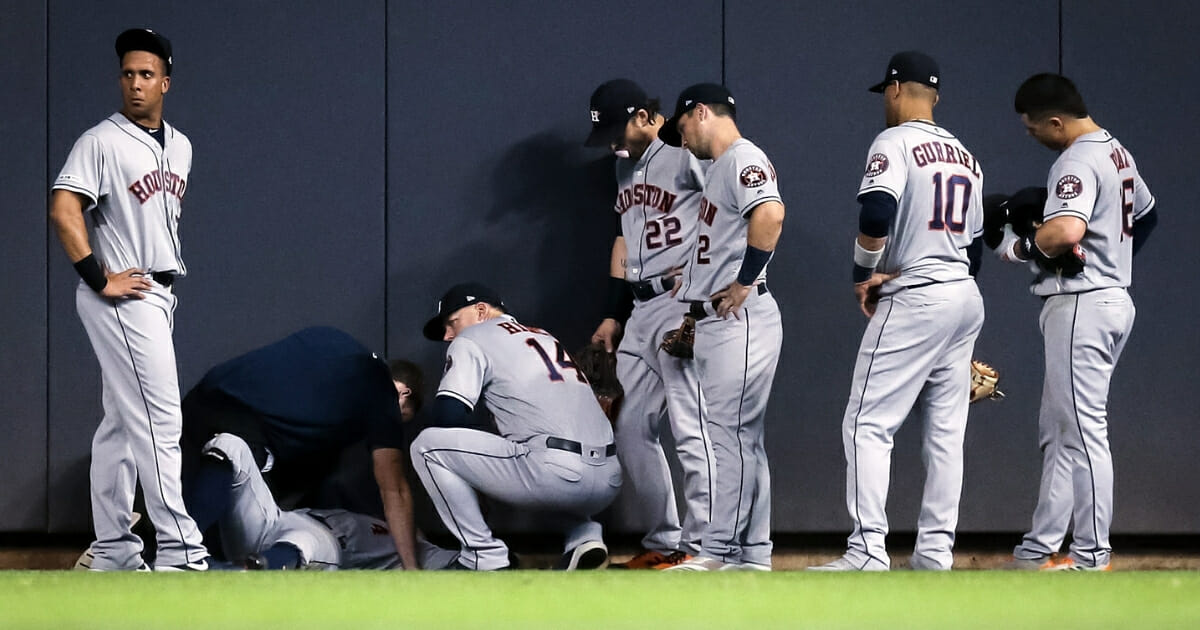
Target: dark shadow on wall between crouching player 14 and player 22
544, 243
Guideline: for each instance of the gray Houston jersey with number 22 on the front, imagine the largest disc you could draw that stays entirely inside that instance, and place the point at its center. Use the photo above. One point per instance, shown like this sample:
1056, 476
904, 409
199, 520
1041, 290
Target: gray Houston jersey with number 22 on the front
657, 200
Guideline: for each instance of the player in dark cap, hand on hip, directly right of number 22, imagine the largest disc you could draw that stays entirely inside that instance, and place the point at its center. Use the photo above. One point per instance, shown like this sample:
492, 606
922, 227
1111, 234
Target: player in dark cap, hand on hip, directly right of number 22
739, 331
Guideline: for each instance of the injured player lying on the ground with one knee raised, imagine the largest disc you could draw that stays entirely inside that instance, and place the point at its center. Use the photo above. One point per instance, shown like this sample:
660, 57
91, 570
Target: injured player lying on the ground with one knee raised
256, 531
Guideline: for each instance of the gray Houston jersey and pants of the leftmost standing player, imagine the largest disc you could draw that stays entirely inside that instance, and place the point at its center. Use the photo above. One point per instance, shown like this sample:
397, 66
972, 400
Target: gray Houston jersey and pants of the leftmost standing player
135, 188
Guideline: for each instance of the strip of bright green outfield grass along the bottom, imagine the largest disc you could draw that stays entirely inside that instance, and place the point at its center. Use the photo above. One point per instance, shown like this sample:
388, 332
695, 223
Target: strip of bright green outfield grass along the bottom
599, 601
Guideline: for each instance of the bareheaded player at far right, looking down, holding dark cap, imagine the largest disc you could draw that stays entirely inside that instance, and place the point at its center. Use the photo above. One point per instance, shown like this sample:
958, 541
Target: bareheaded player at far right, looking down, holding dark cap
1097, 215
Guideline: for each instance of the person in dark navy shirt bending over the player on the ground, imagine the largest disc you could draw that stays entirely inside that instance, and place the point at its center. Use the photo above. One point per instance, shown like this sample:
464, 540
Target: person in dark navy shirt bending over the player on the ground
298, 403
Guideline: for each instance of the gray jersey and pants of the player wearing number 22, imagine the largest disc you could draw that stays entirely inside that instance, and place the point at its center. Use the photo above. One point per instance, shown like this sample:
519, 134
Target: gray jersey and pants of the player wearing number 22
658, 197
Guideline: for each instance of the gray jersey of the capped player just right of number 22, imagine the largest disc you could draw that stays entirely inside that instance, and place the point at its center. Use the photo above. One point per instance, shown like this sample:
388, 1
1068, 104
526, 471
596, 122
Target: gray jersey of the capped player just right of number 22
736, 183
